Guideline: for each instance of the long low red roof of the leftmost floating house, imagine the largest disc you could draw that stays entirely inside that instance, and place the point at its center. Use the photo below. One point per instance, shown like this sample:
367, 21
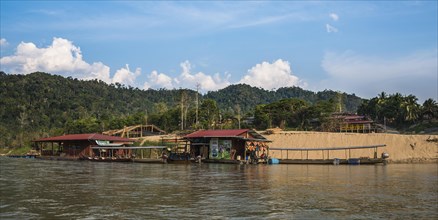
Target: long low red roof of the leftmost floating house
84, 137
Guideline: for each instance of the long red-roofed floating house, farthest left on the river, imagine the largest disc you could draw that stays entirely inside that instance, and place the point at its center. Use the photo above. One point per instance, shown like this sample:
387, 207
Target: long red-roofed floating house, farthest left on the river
76, 146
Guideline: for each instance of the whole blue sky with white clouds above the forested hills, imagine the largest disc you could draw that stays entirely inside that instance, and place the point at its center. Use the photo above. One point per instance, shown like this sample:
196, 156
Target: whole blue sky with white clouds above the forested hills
359, 47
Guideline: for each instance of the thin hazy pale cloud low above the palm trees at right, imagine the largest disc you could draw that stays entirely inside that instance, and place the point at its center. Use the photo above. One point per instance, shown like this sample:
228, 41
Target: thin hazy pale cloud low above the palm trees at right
367, 76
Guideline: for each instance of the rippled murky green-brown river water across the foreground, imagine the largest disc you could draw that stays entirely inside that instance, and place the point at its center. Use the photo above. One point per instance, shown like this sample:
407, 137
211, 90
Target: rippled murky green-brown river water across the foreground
43, 189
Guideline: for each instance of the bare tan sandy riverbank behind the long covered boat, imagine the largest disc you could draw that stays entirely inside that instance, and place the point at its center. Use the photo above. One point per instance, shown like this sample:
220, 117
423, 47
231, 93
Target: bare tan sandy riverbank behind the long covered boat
401, 148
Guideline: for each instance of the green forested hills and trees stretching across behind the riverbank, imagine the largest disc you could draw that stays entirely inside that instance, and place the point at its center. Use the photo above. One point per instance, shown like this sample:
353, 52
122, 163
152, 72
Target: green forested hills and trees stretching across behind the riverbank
40, 104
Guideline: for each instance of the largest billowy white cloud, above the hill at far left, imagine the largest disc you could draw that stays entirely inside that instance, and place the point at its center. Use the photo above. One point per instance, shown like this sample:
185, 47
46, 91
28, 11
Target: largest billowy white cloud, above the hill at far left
62, 57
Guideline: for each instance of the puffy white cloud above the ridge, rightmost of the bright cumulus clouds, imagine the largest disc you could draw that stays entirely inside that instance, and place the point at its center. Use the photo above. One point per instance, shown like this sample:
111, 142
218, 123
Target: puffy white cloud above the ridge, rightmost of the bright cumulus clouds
271, 75
